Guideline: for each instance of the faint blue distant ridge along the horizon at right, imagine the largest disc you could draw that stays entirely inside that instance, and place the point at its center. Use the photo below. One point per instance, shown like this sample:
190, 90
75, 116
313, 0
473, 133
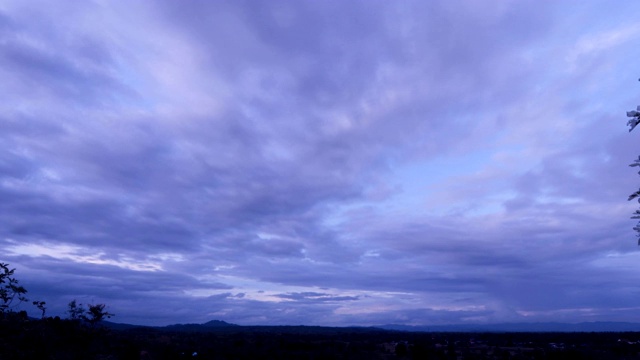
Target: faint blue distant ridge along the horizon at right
521, 327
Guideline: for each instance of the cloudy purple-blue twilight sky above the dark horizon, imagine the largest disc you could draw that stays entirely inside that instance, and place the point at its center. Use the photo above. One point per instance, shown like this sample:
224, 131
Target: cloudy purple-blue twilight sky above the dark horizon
328, 163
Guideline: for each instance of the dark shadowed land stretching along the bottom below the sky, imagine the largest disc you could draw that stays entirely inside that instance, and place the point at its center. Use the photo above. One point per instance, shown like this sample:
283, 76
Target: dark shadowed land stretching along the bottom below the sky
55, 338
